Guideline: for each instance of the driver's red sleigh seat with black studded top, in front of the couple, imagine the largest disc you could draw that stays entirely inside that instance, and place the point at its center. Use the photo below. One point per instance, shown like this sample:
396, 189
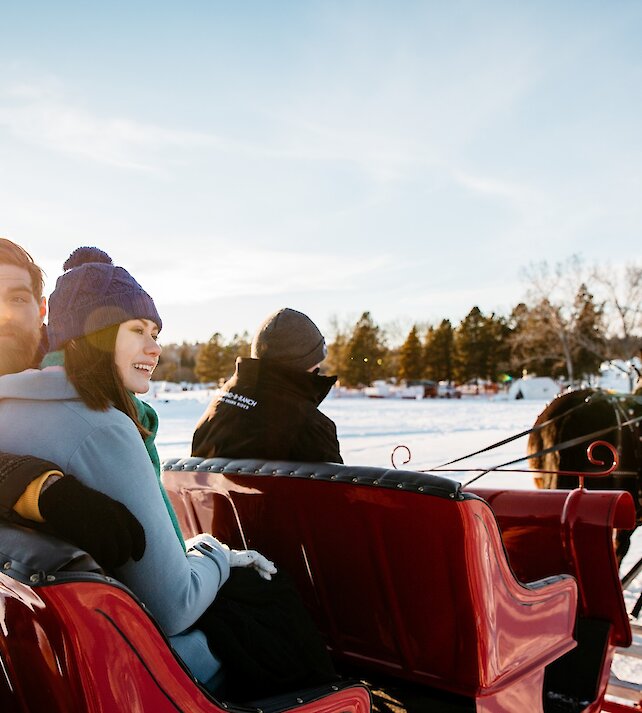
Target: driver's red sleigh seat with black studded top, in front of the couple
405, 574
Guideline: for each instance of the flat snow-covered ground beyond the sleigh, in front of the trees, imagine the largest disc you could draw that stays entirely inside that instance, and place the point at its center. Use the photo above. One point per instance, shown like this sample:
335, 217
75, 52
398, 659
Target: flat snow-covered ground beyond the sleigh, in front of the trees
435, 431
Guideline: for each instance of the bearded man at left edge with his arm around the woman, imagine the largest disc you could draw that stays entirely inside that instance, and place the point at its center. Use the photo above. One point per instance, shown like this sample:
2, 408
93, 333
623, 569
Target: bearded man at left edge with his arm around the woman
32, 491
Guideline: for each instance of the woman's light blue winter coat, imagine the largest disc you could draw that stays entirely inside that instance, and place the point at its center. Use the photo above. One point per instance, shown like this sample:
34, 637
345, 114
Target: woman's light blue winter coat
42, 415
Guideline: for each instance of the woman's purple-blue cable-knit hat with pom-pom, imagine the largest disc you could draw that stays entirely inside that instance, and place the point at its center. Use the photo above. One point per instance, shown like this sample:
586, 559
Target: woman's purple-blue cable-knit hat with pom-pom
92, 294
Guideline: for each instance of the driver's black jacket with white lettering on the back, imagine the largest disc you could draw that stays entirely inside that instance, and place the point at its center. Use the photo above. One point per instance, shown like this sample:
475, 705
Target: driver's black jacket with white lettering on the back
269, 411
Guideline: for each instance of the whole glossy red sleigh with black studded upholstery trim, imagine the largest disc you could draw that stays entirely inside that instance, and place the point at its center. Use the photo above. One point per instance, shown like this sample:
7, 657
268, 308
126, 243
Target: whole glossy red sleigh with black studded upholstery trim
494, 601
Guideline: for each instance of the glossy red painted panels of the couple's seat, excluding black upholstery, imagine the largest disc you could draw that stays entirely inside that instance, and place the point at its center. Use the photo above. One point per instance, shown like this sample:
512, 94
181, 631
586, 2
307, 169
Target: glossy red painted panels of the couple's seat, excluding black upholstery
62, 652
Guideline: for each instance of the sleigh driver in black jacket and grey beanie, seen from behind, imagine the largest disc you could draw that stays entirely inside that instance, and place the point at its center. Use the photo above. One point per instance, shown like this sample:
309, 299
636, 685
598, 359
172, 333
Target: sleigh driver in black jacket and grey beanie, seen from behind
269, 408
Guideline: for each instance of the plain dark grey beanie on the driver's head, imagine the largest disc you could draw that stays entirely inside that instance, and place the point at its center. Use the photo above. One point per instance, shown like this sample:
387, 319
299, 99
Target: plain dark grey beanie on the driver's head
291, 338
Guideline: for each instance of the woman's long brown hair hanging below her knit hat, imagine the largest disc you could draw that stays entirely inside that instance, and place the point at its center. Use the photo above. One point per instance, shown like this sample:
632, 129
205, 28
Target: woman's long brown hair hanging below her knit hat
90, 366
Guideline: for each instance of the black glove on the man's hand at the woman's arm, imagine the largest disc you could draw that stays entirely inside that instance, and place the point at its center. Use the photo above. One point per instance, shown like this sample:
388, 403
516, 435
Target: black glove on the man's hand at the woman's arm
92, 521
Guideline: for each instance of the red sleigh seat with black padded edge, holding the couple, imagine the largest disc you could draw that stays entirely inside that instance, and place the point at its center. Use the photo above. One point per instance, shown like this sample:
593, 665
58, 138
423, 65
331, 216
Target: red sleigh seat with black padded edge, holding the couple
74, 640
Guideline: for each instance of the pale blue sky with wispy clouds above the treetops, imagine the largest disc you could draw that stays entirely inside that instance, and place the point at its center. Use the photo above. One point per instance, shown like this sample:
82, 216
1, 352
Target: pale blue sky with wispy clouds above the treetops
402, 157
